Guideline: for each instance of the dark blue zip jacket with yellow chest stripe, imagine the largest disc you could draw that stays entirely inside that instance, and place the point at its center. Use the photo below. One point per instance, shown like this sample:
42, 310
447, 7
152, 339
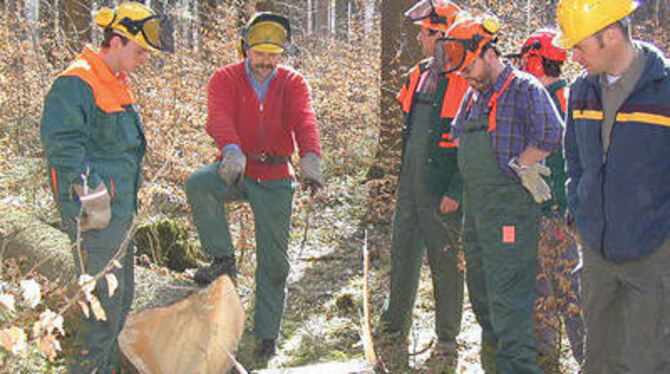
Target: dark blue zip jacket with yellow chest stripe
621, 200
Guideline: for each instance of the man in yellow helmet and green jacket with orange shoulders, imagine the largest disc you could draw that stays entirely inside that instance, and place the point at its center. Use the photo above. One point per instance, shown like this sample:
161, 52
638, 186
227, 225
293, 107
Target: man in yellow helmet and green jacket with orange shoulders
94, 144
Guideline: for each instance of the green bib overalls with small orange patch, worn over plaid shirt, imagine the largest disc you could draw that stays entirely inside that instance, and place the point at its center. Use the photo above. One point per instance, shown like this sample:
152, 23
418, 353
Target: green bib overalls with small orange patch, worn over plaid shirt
500, 236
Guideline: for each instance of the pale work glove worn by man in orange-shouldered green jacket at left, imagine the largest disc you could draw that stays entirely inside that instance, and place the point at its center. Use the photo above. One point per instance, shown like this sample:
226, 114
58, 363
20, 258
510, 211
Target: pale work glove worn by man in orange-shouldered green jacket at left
96, 210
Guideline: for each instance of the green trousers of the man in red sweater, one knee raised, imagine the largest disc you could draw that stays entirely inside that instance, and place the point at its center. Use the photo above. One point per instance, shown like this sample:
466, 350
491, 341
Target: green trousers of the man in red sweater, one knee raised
271, 203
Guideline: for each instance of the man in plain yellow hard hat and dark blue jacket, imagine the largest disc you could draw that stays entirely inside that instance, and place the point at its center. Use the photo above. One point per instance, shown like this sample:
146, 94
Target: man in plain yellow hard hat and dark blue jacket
618, 164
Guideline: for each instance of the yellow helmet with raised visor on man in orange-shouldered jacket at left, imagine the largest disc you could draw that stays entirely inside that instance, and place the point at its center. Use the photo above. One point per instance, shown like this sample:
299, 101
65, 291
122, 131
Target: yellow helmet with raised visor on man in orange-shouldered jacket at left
138, 23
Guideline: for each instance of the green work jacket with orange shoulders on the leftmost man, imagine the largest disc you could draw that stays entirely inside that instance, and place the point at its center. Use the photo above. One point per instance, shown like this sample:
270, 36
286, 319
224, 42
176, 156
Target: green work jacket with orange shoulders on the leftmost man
90, 129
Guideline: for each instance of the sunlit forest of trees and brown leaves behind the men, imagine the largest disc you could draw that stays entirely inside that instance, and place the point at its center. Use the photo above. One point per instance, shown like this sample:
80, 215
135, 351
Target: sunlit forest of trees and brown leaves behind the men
352, 52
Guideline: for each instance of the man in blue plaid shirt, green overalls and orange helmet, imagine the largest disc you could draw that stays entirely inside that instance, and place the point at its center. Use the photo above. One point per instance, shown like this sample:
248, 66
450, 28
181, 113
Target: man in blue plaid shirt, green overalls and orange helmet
506, 125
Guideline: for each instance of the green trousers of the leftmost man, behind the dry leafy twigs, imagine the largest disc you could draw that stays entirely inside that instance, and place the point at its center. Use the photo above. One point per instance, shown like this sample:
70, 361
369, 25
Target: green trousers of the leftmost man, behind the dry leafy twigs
96, 345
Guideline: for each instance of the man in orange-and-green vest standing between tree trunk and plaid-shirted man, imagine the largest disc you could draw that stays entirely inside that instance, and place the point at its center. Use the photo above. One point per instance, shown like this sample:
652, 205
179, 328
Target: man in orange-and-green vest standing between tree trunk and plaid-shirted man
427, 214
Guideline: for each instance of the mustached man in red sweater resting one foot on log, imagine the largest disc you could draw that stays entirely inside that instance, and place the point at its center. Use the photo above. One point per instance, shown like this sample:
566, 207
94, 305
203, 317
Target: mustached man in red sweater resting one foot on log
258, 110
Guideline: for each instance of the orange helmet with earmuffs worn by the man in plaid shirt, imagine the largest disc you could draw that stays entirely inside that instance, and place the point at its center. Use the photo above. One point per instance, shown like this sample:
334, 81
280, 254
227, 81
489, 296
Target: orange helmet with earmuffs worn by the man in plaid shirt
465, 40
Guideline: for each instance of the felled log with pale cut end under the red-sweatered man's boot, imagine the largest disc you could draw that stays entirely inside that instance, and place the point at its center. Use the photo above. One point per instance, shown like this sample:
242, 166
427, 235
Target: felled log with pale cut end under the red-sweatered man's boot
175, 326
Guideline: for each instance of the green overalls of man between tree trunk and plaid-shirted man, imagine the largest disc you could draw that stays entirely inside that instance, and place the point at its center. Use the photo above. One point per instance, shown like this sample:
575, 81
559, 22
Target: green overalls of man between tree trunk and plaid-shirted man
418, 226
